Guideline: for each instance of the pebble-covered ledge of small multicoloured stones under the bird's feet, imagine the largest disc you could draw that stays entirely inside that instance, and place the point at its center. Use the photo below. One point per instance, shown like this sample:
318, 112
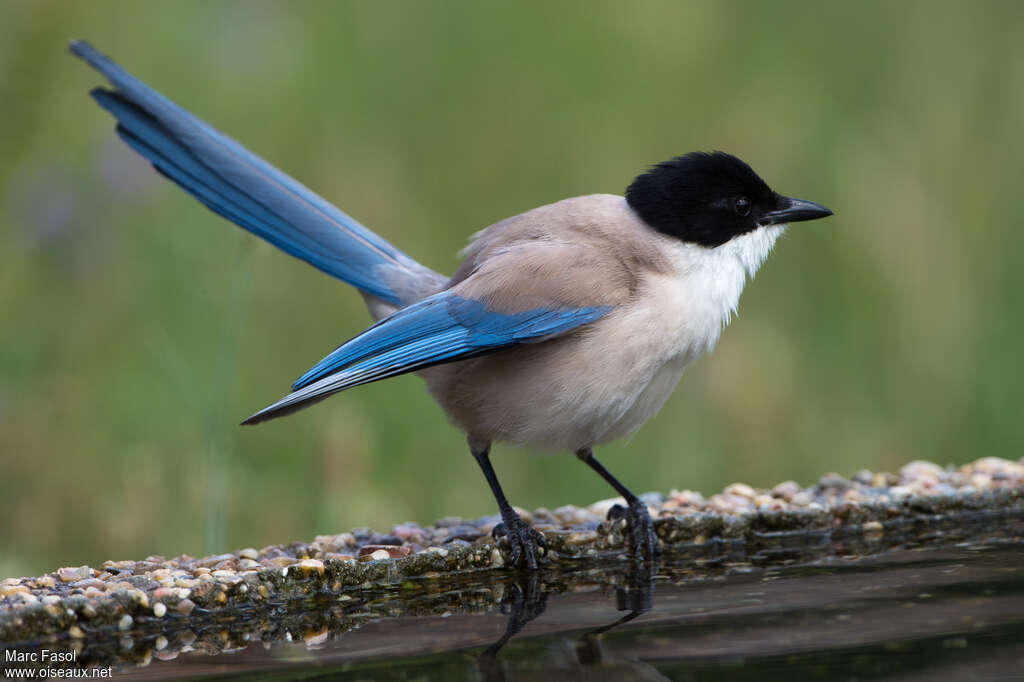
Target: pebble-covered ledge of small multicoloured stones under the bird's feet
74, 604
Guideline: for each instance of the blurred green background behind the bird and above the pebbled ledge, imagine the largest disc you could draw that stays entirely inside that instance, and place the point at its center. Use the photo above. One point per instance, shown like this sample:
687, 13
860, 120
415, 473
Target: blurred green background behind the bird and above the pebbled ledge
139, 328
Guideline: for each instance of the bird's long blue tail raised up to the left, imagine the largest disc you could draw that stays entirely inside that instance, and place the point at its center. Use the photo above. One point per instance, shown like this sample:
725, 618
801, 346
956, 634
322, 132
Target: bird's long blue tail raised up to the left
254, 195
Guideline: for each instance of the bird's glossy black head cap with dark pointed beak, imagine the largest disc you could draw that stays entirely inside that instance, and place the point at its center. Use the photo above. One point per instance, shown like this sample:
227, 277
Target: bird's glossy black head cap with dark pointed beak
709, 199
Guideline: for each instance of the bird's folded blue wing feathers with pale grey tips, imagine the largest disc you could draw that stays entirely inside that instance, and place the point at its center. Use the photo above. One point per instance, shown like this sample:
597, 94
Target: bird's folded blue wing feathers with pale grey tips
443, 328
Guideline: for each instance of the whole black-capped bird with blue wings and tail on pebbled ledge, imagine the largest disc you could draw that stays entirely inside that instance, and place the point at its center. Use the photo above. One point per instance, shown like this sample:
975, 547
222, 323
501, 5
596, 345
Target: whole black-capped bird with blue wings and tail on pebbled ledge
566, 327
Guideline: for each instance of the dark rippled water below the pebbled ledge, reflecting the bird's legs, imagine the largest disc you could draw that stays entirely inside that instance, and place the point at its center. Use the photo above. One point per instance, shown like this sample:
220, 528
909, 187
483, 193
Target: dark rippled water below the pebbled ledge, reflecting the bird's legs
952, 614
